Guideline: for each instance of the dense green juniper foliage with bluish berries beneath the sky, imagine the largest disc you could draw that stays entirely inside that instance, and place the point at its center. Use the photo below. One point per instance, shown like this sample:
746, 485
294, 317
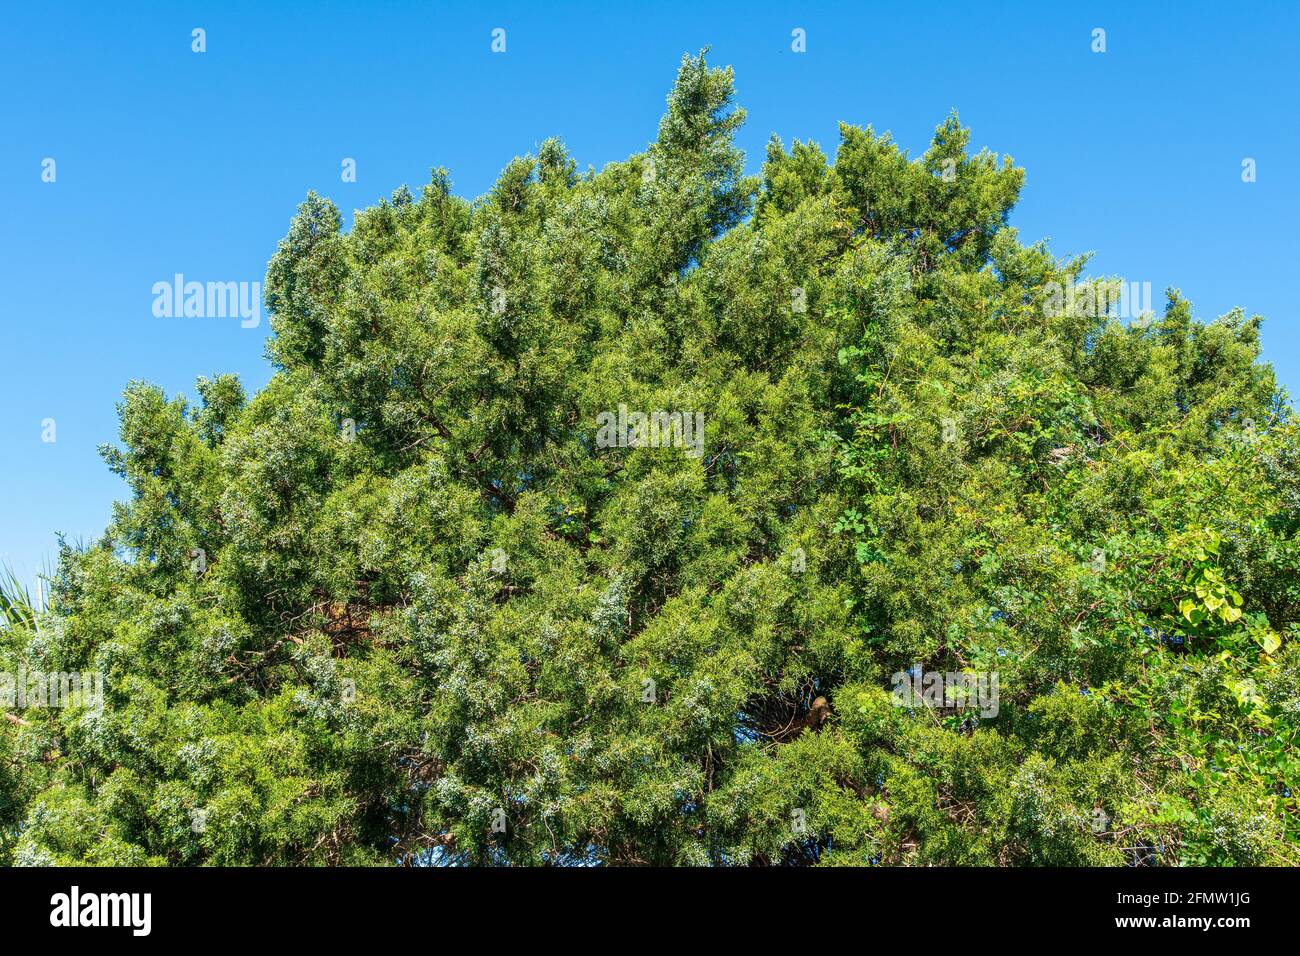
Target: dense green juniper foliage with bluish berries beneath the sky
402, 605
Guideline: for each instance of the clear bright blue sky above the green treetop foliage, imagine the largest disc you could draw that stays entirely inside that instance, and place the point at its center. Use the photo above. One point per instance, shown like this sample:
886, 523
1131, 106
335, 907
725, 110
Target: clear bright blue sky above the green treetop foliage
175, 162
